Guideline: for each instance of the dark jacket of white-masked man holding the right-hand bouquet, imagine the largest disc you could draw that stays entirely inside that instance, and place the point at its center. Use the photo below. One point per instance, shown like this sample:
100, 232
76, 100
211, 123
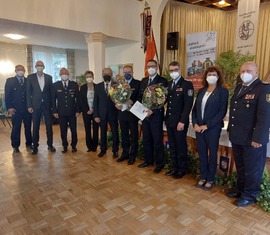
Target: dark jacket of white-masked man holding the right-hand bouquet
158, 114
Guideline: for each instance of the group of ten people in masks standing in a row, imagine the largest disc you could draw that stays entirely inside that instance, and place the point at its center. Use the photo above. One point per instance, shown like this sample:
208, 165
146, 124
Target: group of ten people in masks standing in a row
36, 96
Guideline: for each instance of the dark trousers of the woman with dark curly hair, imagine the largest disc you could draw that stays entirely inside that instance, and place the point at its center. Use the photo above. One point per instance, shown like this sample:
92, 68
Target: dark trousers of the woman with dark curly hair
207, 145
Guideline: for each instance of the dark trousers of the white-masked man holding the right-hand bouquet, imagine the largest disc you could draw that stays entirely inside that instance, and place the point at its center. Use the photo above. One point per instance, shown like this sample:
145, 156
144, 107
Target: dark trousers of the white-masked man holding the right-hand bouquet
153, 142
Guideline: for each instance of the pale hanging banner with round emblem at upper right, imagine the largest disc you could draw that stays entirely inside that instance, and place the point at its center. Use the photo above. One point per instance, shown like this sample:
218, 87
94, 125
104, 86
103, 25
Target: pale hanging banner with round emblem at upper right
246, 29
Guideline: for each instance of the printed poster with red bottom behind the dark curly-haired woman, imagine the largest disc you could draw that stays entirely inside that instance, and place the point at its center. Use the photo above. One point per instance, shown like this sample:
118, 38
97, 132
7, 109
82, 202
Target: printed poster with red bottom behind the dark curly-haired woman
201, 53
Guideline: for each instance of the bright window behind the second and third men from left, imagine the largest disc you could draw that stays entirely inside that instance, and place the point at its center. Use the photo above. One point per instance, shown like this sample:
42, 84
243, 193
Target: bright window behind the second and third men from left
53, 58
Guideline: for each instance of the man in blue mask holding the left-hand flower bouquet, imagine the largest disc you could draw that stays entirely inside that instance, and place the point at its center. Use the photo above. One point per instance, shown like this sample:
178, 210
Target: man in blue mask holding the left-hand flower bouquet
128, 121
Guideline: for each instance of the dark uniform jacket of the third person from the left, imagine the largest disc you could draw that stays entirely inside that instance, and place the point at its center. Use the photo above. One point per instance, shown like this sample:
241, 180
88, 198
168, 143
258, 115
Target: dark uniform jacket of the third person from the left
65, 102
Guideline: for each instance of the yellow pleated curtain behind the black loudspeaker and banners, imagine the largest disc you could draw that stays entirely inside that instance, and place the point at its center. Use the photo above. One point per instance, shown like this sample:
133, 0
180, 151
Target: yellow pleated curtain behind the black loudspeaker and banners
186, 19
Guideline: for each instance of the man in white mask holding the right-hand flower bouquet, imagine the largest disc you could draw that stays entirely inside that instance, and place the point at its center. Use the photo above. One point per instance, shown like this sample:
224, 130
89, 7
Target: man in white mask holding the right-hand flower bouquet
152, 125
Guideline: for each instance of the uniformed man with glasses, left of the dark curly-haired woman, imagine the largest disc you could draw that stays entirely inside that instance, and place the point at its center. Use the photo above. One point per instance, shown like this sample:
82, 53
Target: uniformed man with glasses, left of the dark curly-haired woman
179, 105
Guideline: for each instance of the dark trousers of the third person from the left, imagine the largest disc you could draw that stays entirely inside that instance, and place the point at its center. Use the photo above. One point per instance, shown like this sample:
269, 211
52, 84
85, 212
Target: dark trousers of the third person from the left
71, 122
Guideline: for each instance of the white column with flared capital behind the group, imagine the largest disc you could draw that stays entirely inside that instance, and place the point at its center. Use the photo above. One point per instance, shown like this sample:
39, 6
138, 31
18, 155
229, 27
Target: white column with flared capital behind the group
96, 53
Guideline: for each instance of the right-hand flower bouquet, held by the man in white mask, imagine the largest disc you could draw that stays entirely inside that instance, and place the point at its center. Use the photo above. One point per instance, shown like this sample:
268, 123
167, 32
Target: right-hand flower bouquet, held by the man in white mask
154, 96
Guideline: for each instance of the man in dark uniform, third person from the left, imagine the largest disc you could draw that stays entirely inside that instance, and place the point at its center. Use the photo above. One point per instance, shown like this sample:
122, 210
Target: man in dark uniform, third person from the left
65, 105
